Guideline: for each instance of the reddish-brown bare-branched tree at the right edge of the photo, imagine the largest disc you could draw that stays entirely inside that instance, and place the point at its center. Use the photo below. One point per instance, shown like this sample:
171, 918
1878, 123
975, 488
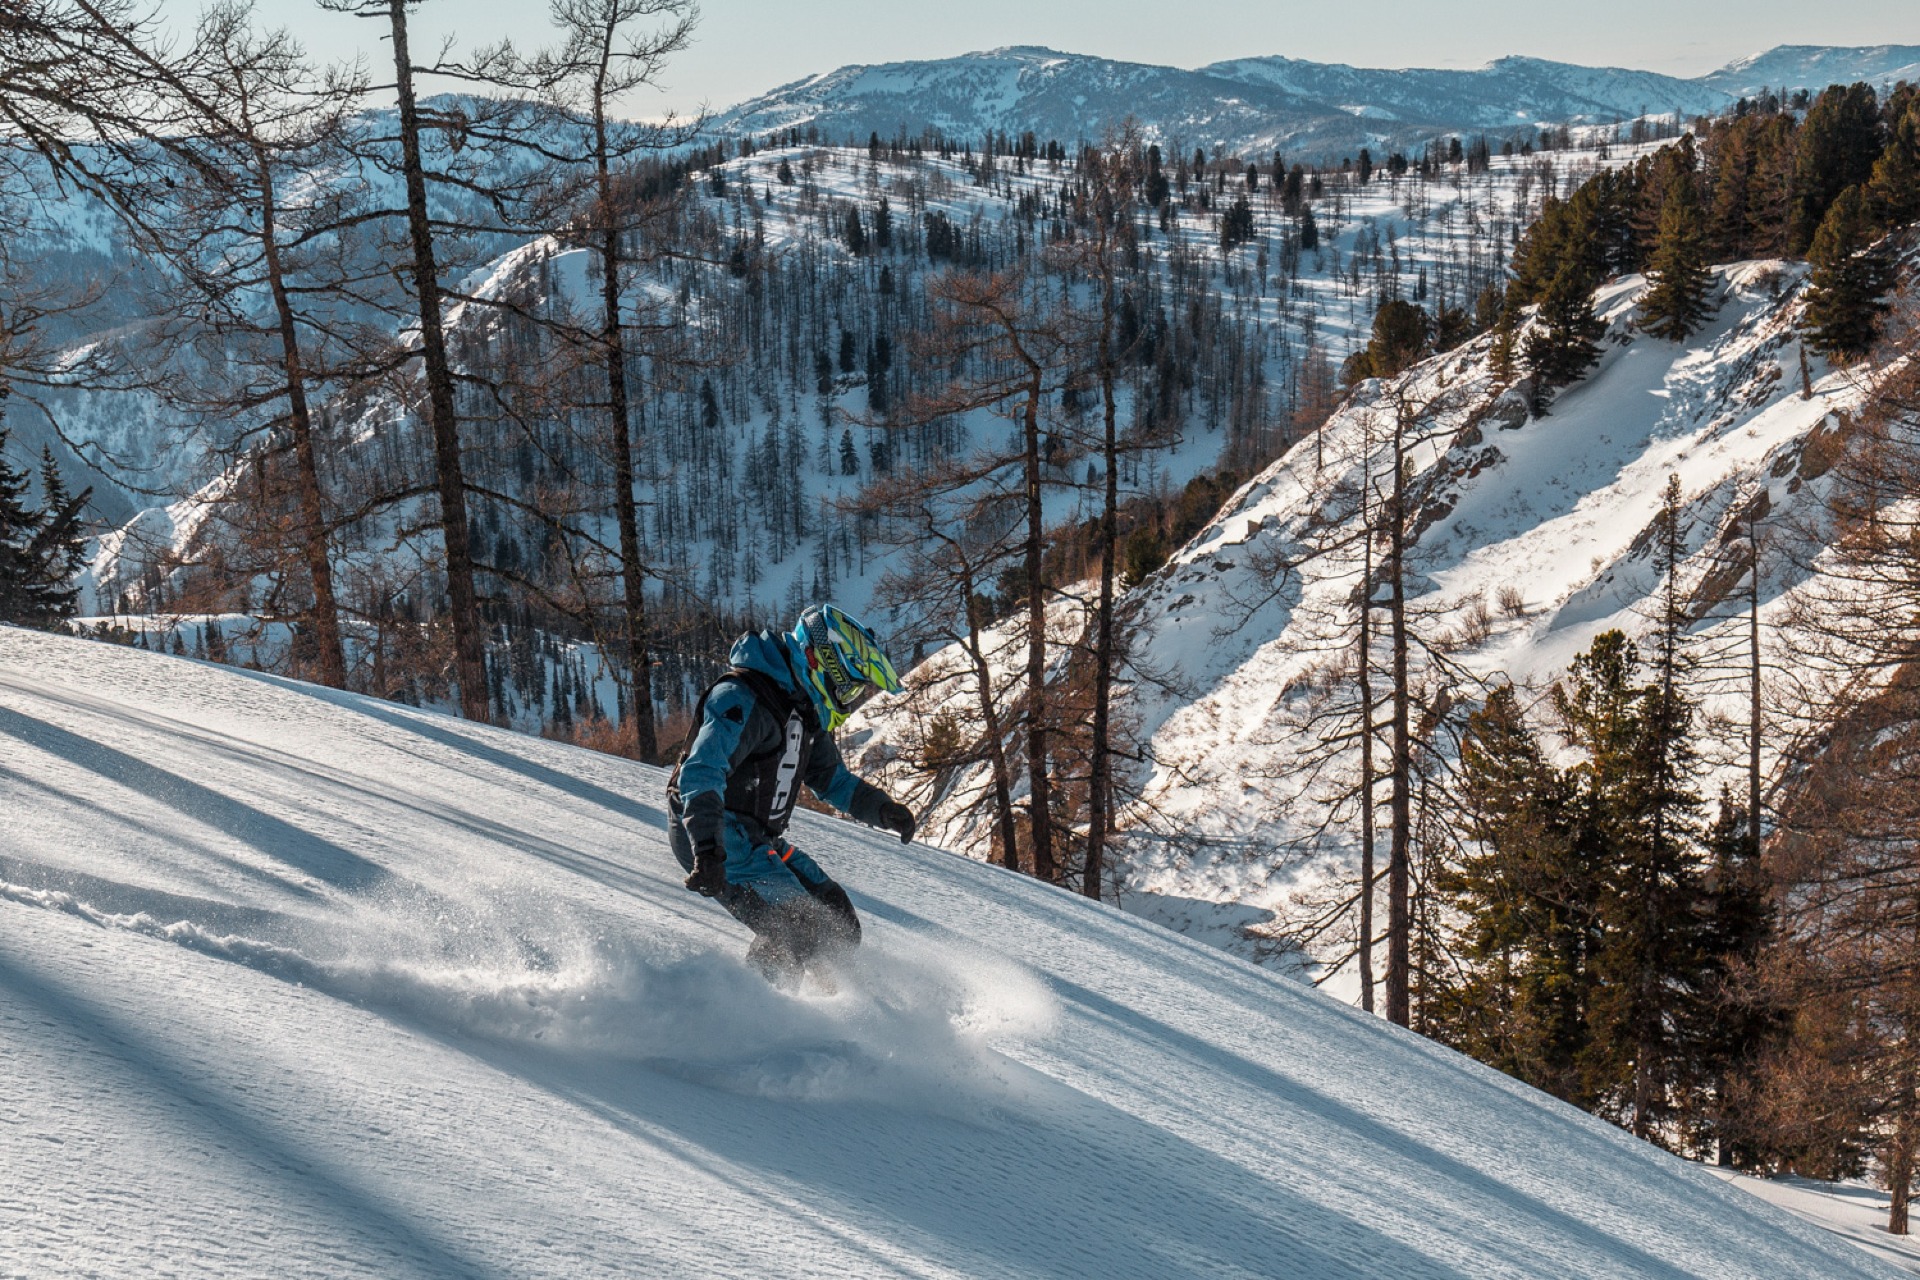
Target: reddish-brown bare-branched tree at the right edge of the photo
1846, 851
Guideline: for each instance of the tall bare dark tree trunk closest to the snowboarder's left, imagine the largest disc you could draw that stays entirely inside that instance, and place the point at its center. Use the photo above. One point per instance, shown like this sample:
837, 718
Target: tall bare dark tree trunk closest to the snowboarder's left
625, 510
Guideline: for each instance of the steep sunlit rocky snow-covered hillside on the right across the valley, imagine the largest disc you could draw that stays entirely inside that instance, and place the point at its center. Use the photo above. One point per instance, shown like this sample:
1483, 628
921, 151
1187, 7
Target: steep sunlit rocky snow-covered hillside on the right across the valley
1535, 538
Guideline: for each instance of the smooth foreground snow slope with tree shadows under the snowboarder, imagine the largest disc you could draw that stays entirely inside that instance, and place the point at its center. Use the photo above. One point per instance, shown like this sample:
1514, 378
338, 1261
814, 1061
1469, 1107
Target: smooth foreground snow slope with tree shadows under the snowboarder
302, 984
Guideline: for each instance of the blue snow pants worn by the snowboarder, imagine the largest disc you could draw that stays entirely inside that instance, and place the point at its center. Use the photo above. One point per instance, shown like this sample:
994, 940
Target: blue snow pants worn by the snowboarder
784, 897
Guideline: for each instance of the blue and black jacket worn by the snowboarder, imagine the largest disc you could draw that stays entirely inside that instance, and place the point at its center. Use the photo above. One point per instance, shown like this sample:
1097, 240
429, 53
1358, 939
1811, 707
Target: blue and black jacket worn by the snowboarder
738, 730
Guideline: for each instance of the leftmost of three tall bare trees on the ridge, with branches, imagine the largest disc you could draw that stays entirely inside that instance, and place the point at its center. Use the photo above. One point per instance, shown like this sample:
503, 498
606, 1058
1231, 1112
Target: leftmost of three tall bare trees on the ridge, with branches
235, 239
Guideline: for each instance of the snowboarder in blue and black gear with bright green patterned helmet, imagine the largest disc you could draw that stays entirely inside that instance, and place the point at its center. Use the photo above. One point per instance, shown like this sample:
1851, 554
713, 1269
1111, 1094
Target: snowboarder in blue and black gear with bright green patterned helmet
759, 732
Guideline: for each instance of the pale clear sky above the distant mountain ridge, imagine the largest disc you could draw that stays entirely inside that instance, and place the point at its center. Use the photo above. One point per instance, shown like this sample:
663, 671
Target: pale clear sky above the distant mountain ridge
748, 47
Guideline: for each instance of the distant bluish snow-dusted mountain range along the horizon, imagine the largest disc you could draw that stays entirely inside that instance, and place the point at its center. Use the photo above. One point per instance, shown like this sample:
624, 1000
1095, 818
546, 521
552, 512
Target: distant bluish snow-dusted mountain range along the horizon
1259, 105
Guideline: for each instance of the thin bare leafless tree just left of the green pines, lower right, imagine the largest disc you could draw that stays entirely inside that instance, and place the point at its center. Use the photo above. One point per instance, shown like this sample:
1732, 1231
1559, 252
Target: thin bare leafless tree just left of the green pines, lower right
1383, 682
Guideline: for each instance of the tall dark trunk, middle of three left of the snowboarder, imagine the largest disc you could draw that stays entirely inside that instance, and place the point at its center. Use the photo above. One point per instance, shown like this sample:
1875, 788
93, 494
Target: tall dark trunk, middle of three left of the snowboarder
469, 642
